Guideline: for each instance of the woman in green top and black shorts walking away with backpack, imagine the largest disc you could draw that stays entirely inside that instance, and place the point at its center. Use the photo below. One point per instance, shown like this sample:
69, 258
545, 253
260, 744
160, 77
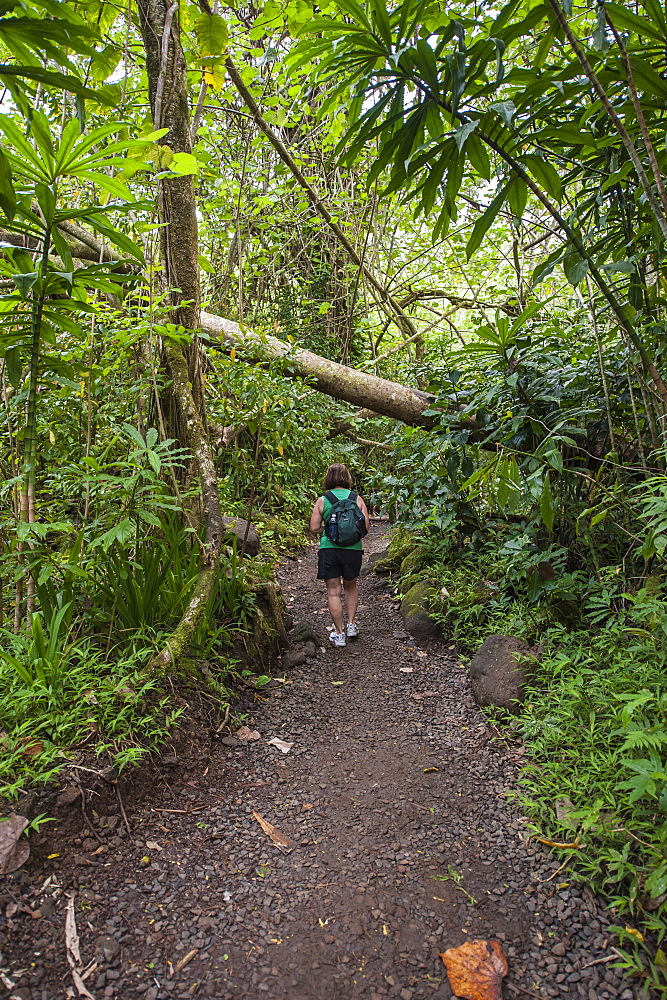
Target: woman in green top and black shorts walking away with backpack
345, 518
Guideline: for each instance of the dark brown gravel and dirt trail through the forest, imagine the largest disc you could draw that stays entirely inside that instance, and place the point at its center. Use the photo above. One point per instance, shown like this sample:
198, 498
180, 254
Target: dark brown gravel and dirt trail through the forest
397, 797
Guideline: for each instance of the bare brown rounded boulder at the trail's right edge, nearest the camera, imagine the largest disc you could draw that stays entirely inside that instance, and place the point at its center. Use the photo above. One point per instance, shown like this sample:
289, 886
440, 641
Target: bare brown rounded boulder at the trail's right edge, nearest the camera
498, 678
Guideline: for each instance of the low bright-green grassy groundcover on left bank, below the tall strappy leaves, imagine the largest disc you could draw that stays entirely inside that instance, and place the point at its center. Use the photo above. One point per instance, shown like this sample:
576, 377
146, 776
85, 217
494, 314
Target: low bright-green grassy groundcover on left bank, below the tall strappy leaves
61, 695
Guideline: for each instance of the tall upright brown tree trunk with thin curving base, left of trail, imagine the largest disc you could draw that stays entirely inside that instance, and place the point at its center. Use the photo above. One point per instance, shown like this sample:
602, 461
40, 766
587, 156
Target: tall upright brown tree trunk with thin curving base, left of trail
168, 94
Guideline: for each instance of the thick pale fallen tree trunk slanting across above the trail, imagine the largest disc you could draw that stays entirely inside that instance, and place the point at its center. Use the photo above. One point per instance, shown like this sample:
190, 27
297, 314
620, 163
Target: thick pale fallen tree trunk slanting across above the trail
389, 399
